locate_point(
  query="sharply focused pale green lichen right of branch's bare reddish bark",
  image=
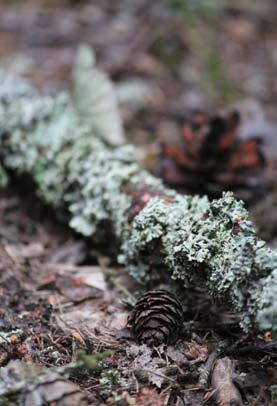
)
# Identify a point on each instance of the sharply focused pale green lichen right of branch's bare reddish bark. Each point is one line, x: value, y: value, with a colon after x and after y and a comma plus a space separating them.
x: 196, y: 241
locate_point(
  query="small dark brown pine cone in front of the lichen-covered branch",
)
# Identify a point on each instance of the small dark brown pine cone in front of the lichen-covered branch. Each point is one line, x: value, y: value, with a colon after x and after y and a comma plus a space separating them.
x: 156, y: 318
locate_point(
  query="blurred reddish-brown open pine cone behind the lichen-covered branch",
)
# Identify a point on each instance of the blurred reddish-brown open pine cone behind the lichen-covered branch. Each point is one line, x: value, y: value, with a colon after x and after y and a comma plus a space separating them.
x: 211, y: 158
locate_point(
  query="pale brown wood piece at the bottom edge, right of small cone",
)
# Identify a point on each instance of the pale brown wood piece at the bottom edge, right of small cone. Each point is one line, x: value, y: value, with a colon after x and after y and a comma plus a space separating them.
x: 226, y: 393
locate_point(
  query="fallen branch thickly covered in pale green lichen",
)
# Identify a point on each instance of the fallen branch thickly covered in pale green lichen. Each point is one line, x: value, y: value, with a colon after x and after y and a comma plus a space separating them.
x: 104, y: 192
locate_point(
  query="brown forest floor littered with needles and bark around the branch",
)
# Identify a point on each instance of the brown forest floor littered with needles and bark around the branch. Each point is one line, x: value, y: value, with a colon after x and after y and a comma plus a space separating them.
x: 62, y: 298
